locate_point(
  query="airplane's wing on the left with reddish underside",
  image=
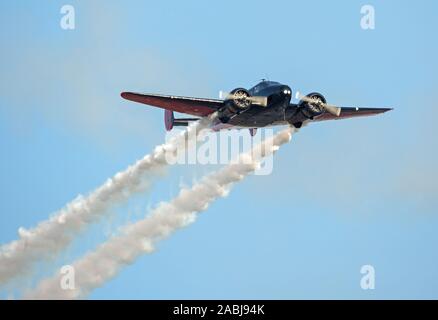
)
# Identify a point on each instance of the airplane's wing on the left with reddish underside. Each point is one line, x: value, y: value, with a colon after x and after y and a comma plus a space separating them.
x: 194, y: 106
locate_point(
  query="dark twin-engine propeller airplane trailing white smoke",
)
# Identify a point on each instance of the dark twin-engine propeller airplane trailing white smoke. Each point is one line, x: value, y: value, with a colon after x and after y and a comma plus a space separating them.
x: 266, y: 104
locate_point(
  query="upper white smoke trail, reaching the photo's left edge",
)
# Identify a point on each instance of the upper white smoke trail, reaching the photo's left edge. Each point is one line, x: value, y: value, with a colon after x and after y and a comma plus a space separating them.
x: 51, y: 236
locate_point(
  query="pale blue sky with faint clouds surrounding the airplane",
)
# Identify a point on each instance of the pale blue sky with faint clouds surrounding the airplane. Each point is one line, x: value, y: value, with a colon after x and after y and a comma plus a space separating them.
x: 342, y: 194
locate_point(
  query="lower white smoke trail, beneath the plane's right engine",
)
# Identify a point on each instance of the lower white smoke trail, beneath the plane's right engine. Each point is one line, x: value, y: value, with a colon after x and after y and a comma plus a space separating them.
x: 102, y: 264
